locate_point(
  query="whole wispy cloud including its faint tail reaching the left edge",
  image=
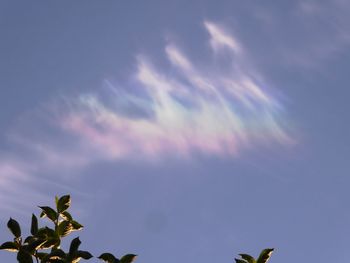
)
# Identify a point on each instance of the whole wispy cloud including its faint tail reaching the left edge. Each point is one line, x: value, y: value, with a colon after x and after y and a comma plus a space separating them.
x: 181, y: 110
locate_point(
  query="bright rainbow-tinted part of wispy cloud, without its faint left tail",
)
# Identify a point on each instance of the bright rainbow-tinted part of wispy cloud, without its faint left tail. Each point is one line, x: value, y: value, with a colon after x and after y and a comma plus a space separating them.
x: 184, y: 110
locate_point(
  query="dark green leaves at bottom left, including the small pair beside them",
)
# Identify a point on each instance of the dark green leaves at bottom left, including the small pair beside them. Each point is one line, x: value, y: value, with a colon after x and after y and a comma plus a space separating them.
x: 43, y: 243
